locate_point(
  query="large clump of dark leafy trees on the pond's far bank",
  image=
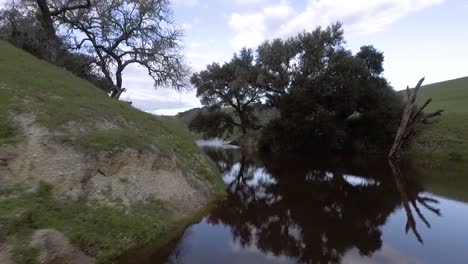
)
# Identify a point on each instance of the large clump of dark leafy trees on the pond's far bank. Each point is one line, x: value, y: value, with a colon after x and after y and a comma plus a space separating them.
x: 325, y: 96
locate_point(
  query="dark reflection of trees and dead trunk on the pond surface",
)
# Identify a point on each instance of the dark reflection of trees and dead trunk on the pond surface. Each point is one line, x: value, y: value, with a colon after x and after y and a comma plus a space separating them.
x: 314, y: 212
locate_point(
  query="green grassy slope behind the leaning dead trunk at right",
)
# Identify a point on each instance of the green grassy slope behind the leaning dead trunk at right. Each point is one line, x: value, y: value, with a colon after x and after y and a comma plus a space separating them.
x: 446, y: 140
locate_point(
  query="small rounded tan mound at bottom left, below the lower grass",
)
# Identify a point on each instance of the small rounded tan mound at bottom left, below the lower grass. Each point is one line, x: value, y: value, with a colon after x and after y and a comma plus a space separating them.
x: 55, y: 248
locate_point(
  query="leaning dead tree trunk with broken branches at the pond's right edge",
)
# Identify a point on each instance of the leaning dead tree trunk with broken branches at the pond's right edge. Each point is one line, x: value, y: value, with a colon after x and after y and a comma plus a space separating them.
x: 413, y: 116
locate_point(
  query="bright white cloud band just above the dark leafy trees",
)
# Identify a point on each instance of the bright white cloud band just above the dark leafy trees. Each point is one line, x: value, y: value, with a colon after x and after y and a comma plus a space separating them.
x: 282, y: 20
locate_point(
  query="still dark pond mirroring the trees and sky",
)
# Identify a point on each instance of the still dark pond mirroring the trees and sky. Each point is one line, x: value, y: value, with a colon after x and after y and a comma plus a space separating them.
x: 307, y: 210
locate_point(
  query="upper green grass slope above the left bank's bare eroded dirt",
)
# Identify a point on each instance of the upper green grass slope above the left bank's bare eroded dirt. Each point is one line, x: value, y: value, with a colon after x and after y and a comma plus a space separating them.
x: 84, y: 115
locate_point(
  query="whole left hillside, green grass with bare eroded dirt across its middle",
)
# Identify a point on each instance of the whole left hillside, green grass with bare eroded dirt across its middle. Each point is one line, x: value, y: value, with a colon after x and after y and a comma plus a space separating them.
x: 110, y: 177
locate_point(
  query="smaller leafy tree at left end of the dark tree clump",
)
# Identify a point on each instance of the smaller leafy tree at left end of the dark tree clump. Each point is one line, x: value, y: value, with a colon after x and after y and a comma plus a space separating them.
x: 235, y: 85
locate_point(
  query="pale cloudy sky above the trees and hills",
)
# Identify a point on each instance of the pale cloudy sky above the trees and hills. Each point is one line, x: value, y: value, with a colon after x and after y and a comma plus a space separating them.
x: 418, y: 37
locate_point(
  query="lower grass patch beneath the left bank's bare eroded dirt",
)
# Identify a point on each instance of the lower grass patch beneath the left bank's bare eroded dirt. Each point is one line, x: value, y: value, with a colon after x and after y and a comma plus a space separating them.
x: 102, y: 232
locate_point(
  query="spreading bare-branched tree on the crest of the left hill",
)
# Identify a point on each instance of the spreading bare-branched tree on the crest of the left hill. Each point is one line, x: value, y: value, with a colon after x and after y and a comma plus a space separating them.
x: 118, y: 33
